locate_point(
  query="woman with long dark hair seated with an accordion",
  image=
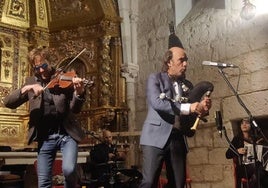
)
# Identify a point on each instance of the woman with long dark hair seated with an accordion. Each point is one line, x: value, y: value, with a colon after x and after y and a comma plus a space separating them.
x: 244, y: 163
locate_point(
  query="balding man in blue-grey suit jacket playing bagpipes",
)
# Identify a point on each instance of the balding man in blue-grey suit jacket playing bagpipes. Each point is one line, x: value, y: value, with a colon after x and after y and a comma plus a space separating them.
x: 163, y: 134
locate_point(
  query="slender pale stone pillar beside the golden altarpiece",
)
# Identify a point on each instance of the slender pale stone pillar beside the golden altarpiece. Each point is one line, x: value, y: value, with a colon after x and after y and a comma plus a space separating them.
x: 128, y: 11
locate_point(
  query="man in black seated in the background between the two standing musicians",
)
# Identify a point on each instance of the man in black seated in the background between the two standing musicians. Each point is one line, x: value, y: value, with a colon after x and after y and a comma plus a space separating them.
x: 104, y: 157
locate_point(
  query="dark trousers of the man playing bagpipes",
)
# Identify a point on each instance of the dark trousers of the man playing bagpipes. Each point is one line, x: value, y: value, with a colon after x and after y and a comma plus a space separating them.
x: 174, y: 155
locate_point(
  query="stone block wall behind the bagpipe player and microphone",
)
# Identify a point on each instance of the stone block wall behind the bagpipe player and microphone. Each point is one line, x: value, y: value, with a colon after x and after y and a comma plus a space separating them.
x: 218, y: 35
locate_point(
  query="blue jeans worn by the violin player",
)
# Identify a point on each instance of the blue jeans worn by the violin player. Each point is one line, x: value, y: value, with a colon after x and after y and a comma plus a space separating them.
x: 46, y: 155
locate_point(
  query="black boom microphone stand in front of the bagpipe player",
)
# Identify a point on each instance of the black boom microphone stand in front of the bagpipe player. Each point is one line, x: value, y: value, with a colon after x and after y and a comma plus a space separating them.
x: 253, y: 123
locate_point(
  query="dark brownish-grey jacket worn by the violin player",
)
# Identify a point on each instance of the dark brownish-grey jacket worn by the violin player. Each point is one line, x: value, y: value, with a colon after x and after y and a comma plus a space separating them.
x: 71, y: 125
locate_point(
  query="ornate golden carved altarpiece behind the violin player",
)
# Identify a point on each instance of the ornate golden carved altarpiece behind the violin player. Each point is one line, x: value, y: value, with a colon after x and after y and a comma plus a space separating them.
x: 66, y: 27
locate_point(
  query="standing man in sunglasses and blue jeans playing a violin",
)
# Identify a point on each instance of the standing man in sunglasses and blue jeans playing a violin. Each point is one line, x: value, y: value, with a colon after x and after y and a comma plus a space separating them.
x: 51, y: 122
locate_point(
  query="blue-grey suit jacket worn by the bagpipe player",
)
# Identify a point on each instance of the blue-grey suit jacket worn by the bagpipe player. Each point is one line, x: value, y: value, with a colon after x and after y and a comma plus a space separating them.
x: 161, y: 113
